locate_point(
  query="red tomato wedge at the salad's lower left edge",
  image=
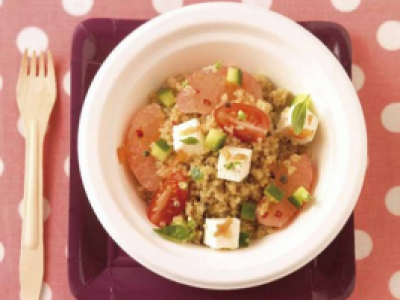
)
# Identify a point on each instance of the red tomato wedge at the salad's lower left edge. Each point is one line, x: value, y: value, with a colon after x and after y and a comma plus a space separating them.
x: 169, y: 200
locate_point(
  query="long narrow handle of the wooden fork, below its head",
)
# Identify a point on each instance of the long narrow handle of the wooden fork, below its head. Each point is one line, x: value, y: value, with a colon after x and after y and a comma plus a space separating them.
x: 31, y: 258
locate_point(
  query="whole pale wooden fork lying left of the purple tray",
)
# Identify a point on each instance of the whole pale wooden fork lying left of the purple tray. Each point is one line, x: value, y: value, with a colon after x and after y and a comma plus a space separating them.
x: 36, y: 94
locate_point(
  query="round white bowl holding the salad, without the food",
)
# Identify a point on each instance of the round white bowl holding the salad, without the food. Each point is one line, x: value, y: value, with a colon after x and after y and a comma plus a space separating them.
x: 258, y: 41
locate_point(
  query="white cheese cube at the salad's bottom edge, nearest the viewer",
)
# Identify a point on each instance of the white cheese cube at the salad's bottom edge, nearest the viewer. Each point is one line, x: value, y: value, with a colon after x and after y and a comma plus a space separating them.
x: 227, y: 239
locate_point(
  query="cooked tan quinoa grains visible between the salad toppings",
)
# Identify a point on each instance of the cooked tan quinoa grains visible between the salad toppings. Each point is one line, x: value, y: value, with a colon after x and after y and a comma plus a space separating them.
x: 217, y: 198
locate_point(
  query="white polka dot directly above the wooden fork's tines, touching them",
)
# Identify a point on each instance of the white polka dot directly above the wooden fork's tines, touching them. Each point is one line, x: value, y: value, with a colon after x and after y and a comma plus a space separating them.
x: 32, y: 38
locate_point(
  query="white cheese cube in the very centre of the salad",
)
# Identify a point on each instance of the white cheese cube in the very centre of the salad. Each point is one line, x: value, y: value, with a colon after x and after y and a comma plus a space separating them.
x: 234, y: 163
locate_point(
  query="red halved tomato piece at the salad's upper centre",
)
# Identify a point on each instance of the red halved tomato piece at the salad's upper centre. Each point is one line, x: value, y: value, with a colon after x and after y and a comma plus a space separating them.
x: 255, y: 125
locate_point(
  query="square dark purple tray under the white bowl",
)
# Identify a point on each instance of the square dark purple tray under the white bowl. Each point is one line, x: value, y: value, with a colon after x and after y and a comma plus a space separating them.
x: 100, y: 270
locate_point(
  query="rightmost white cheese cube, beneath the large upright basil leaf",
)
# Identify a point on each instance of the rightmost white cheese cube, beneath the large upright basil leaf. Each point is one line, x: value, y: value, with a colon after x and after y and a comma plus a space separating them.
x: 309, y: 129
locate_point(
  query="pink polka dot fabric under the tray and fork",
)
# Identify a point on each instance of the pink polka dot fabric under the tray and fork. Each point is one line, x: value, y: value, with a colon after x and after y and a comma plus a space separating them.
x: 374, y: 27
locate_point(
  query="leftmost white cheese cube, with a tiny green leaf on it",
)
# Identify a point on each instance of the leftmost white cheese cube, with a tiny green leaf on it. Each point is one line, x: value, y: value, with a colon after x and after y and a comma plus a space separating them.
x: 189, y: 129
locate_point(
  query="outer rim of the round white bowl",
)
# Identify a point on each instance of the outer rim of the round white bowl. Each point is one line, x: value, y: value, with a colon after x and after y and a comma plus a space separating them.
x: 88, y: 170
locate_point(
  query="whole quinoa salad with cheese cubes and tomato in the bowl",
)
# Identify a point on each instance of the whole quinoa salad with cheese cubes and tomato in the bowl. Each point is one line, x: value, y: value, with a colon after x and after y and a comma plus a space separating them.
x: 222, y: 157
